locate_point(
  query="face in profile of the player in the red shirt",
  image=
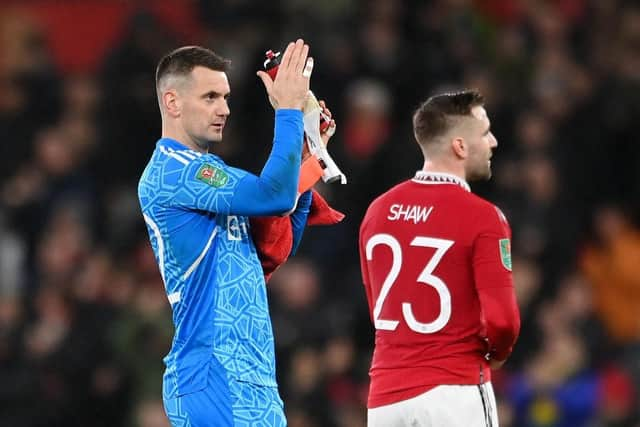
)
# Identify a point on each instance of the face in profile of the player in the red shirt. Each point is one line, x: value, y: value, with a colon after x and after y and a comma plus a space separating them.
x: 481, y: 143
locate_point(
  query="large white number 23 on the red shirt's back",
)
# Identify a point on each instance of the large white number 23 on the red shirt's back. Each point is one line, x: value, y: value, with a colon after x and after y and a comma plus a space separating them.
x: 441, y: 246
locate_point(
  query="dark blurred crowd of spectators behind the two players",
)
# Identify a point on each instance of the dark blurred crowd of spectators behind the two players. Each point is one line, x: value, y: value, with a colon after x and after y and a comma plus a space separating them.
x: 84, y: 321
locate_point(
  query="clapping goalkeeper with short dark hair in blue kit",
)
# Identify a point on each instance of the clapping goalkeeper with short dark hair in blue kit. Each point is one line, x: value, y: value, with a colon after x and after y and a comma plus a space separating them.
x: 221, y: 367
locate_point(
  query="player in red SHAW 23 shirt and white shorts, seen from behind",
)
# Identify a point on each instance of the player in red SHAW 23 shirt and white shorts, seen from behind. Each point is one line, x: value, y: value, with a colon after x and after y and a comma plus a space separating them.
x: 436, y: 266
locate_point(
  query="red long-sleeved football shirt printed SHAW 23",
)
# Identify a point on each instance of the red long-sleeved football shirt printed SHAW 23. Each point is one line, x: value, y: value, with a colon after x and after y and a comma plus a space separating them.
x: 436, y: 267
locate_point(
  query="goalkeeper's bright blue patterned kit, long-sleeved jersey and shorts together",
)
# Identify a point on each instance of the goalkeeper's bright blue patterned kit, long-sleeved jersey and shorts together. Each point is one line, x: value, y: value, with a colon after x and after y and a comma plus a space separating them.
x: 221, y: 367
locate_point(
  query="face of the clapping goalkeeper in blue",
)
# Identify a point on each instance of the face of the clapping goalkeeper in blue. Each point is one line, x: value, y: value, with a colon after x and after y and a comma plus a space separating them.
x: 205, y: 109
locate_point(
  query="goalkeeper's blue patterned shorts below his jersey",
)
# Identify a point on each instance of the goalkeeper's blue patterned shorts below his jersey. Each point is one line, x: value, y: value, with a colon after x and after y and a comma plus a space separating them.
x: 225, y: 402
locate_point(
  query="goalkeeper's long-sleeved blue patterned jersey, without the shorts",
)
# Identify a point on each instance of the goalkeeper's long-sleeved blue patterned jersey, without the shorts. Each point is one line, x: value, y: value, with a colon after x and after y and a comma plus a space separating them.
x: 196, y: 209
